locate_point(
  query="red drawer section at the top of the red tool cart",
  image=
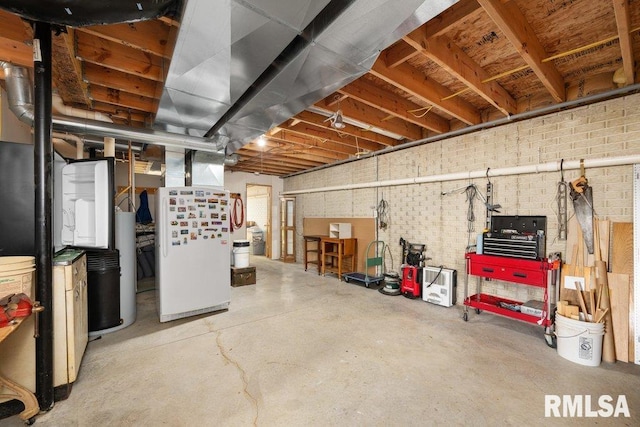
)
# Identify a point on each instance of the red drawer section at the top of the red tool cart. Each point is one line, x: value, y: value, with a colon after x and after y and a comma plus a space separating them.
x: 528, y: 272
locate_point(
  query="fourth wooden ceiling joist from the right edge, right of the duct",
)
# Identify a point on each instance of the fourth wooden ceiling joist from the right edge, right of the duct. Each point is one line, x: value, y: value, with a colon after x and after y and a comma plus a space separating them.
x: 415, y: 83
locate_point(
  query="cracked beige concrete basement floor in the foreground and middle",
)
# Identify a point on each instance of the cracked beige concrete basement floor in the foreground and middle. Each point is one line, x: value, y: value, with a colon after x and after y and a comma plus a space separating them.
x: 298, y: 349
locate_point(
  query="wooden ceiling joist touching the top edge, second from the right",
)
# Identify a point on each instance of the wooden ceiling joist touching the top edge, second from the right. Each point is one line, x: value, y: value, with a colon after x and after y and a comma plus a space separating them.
x: 509, y: 18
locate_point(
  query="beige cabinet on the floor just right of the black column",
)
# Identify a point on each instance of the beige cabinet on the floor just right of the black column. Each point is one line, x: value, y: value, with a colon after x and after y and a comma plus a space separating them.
x: 70, y: 318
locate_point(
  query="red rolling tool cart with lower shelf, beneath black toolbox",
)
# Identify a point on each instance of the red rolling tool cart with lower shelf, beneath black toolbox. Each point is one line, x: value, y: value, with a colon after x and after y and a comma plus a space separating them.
x: 542, y: 273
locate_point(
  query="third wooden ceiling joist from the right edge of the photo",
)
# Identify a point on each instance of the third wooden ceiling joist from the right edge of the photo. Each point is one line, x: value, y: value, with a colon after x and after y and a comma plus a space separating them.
x: 449, y: 56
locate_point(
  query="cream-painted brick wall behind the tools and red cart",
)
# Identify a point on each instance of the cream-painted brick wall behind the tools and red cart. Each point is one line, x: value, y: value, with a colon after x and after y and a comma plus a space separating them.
x: 420, y: 214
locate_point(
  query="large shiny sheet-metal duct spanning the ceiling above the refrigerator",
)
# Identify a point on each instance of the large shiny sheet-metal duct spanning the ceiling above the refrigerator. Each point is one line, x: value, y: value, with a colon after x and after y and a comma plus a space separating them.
x: 241, y: 67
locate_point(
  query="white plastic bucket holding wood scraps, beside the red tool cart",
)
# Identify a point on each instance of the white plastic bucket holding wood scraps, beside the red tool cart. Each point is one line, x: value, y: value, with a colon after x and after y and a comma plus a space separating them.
x: 578, y: 341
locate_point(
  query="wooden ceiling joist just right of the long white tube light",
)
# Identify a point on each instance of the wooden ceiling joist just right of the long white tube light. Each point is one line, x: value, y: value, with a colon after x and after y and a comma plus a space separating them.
x: 374, y: 117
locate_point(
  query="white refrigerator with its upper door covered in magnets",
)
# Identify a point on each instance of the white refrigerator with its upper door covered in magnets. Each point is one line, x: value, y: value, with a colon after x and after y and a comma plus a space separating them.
x: 192, y: 251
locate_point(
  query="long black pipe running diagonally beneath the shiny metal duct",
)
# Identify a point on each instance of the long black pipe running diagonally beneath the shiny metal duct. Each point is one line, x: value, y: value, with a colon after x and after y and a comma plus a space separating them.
x: 320, y: 23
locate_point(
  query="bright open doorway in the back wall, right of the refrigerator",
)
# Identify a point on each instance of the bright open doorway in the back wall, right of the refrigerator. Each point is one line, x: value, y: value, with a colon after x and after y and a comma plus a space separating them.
x: 259, y: 219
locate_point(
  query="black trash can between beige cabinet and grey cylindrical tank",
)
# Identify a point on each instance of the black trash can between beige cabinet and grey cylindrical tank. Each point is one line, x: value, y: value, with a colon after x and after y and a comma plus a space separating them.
x: 103, y: 289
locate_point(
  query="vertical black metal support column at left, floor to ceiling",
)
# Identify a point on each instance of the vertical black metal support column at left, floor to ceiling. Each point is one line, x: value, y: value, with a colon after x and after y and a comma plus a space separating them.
x: 43, y: 175
